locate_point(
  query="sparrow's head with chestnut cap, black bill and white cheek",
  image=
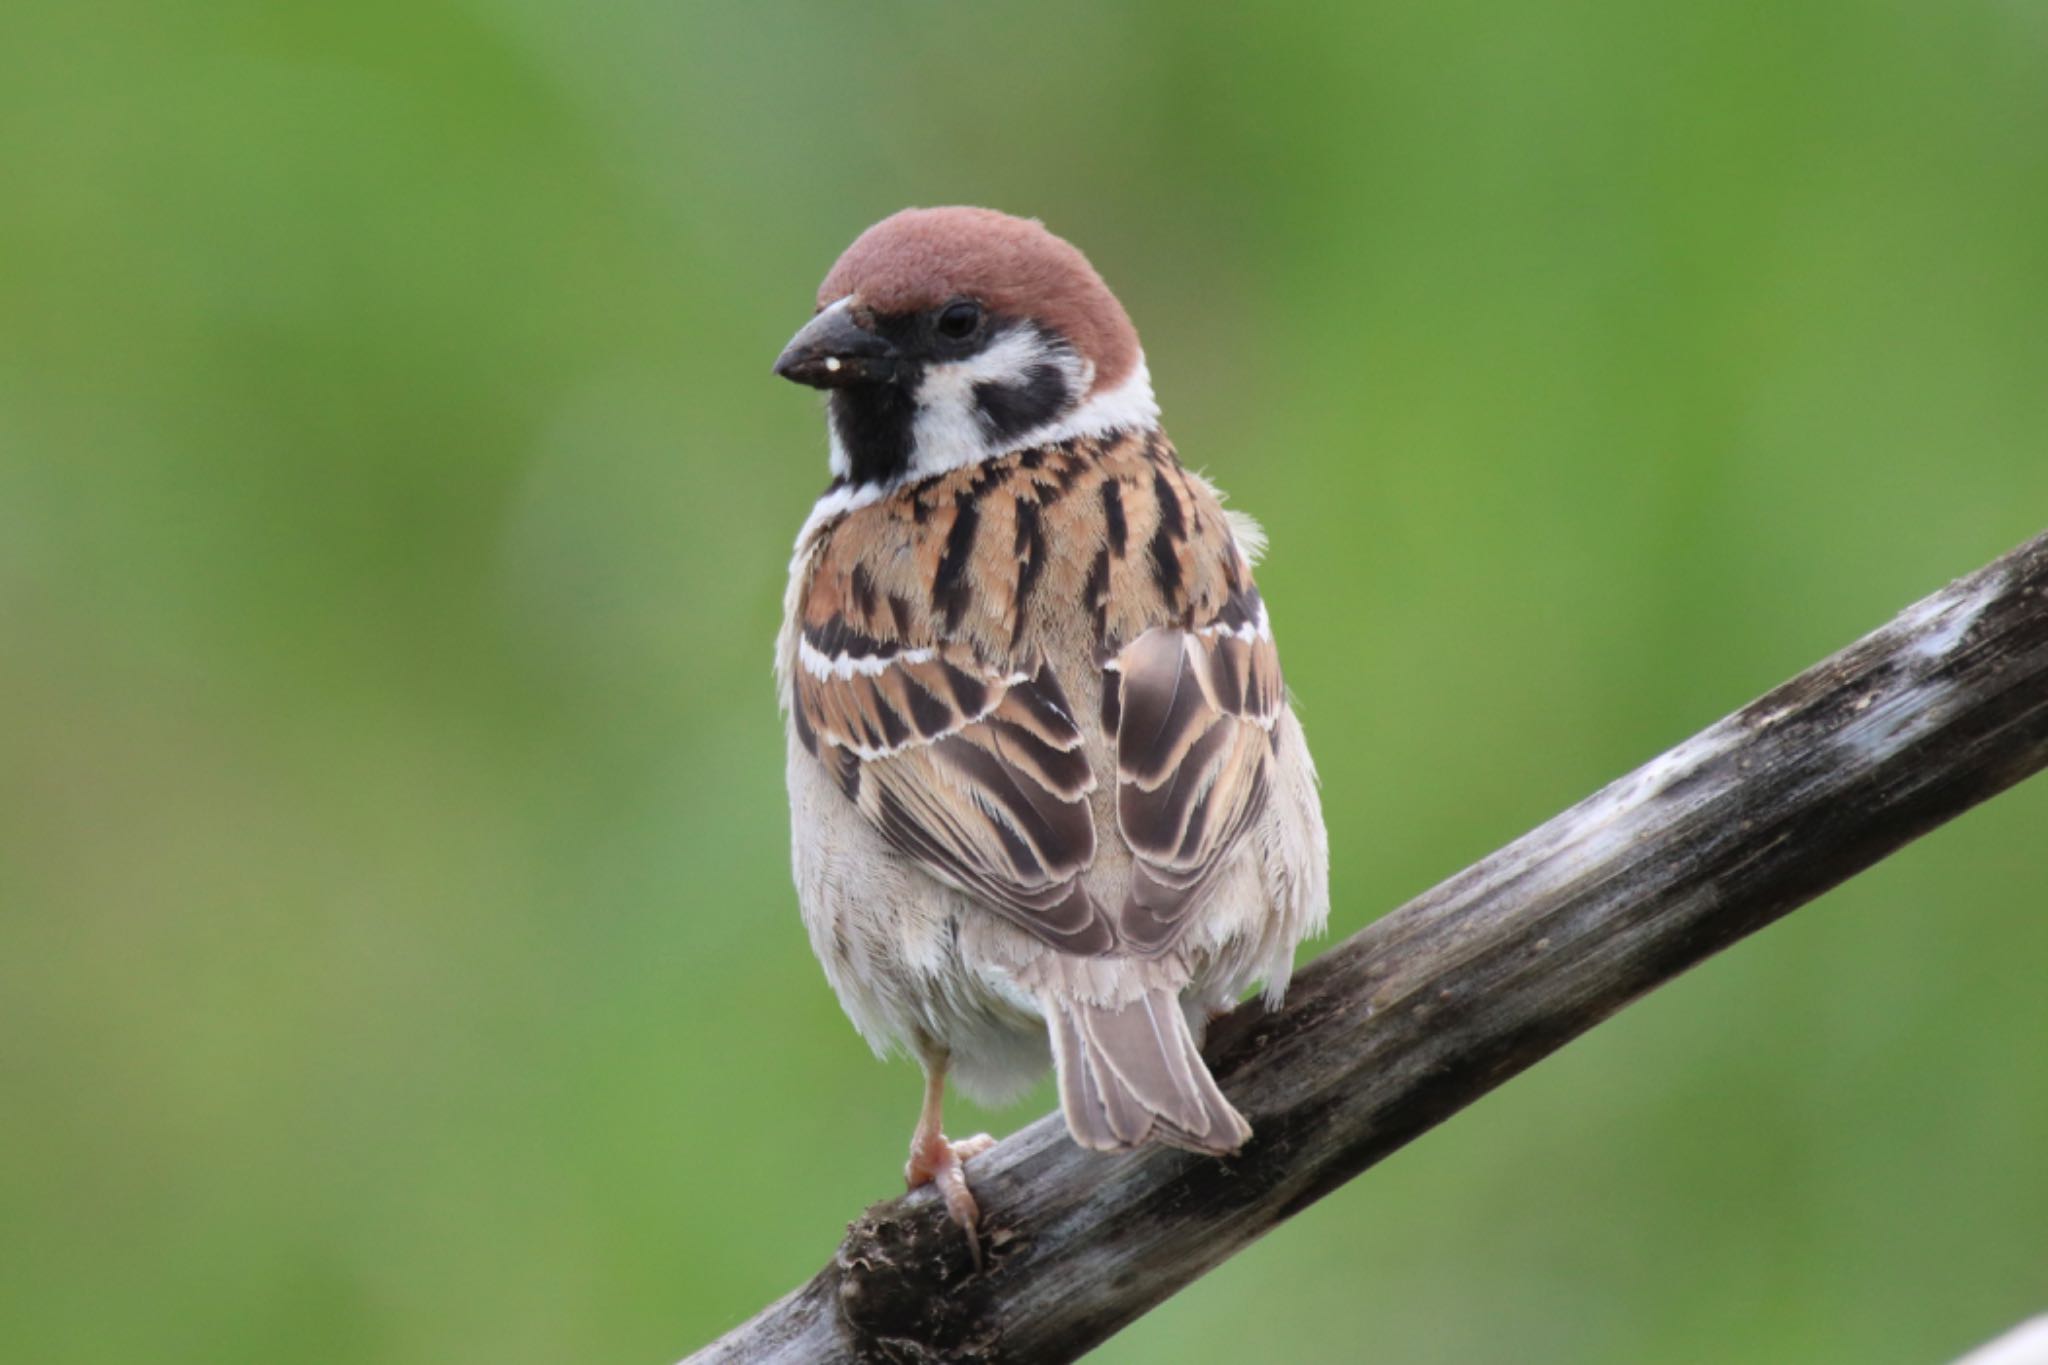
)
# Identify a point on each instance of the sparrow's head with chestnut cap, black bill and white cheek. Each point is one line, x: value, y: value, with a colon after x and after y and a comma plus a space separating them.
x: 949, y: 337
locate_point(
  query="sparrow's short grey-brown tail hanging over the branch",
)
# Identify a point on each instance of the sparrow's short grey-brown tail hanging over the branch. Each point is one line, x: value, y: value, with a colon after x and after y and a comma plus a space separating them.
x: 1134, y: 1075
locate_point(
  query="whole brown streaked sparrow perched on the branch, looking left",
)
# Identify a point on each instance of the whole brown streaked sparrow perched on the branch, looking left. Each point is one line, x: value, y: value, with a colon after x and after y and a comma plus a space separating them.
x: 1048, y: 789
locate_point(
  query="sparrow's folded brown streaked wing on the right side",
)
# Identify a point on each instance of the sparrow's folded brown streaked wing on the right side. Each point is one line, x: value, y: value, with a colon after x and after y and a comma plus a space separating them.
x: 1193, y: 742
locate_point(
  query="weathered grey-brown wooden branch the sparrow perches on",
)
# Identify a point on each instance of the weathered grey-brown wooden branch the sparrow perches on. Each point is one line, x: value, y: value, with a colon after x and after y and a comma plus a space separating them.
x: 1445, y: 1000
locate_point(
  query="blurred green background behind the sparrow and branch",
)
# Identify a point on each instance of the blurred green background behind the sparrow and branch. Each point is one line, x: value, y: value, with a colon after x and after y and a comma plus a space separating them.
x: 398, y: 959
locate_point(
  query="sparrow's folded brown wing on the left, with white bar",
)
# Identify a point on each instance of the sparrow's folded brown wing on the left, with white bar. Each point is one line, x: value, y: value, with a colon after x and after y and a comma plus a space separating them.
x: 974, y: 773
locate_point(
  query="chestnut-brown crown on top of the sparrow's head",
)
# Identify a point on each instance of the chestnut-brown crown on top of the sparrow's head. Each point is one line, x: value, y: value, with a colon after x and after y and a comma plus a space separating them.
x: 921, y: 259
